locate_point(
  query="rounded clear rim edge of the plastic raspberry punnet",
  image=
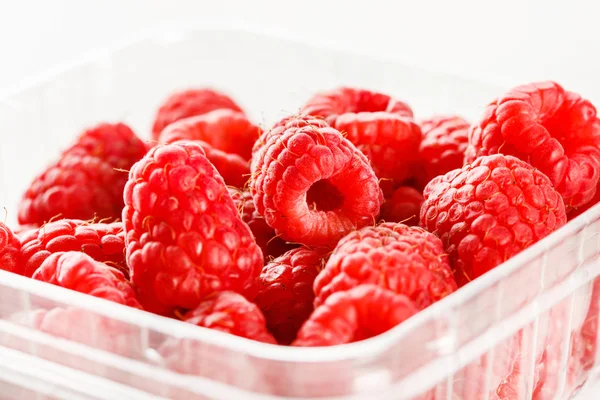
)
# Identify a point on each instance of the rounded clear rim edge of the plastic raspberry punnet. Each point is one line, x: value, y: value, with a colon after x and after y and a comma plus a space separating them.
x: 374, y: 346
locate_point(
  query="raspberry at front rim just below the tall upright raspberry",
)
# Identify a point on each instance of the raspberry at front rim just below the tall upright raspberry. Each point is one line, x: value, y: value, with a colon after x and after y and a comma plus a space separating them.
x: 231, y: 313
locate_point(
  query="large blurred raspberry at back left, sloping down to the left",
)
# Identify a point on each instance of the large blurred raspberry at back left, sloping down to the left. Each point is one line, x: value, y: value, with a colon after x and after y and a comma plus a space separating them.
x: 84, y: 183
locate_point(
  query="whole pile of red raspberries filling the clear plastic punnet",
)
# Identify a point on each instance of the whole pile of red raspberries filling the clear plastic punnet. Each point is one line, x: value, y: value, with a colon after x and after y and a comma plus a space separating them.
x: 331, y: 226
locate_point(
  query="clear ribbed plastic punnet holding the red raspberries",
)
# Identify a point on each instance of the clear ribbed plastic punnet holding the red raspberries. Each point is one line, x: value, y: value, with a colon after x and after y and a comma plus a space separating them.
x: 528, y: 324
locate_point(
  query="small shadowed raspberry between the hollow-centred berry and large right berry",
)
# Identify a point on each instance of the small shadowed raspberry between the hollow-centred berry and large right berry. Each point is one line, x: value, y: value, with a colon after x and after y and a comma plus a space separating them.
x: 403, y: 206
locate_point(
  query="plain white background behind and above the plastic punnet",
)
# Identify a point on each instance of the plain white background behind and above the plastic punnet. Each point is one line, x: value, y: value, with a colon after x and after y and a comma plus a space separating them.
x: 507, y: 41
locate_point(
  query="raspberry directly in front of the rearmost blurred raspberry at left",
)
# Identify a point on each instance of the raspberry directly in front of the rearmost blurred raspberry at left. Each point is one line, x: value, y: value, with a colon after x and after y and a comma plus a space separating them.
x: 223, y: 129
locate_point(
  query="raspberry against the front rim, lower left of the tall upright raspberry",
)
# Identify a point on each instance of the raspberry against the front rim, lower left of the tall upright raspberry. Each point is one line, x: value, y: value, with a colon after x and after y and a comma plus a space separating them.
x: 78, y: 271
